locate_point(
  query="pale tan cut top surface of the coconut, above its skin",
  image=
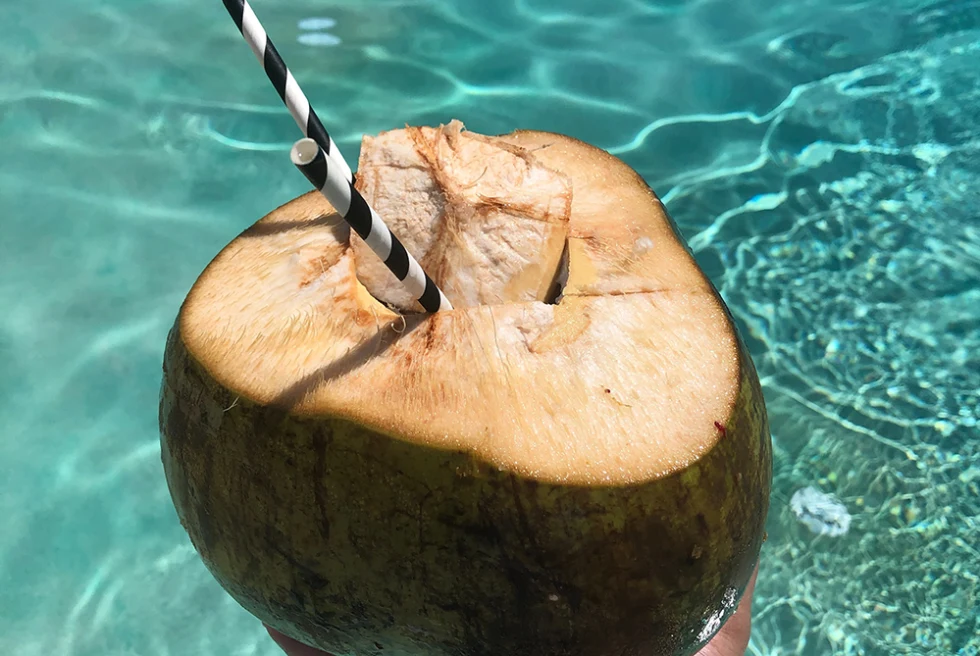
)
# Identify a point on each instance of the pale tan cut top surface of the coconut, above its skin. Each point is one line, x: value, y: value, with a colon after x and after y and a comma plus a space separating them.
x: 625, y: 379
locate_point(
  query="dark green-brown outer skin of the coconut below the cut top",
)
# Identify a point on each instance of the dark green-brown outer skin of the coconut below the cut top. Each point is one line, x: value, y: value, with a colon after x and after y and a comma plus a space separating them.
x: 359, y: 543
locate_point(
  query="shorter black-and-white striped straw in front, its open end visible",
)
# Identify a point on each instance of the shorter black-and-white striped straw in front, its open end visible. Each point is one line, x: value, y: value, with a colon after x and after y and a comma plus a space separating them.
x: 309, y: 158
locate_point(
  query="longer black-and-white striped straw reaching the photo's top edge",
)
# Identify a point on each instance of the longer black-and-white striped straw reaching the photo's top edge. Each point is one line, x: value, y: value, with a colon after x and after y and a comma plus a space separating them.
x: 284, y: 82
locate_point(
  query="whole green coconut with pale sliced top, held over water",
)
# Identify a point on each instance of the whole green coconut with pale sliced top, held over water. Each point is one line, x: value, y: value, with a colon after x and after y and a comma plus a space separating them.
x: 575, y: 460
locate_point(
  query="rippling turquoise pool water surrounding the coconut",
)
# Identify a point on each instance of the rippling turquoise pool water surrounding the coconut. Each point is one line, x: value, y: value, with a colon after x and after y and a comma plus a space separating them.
x: 822, y: 157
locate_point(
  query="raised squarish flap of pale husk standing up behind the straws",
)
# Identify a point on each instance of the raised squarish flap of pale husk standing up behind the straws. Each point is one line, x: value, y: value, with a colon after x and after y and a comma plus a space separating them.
x: 485, y: 219
